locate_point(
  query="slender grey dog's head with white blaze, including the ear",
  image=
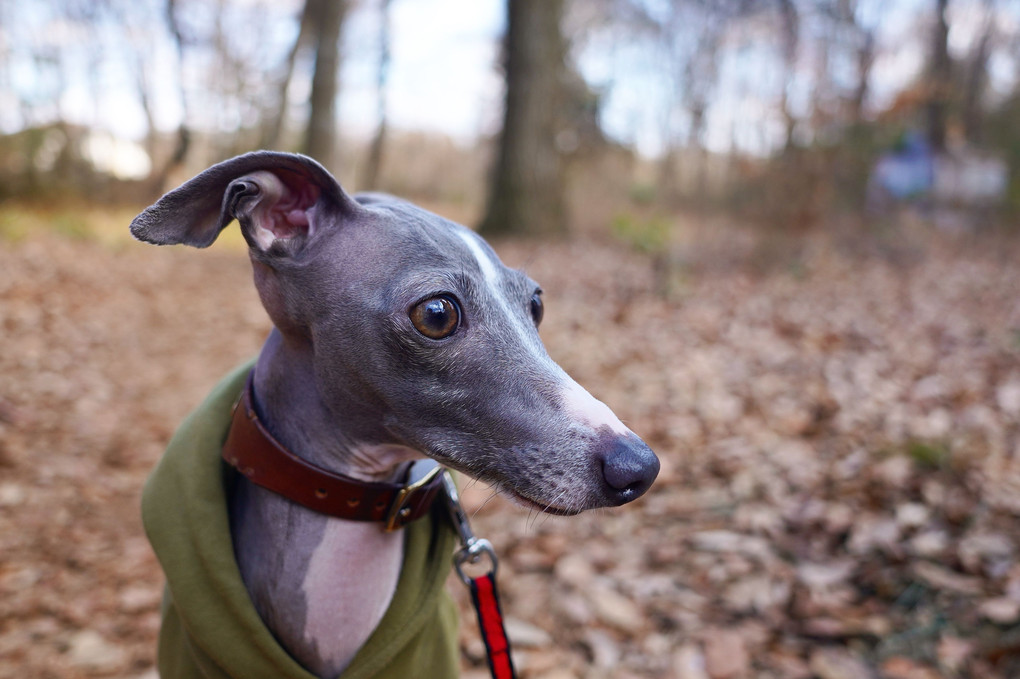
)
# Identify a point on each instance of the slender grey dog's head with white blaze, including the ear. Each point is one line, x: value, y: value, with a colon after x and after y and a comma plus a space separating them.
x: 419, y: 335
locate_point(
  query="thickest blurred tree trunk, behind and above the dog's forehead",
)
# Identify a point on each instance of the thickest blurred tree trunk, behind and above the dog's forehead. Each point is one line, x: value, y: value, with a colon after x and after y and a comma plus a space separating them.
x: 527, y: 195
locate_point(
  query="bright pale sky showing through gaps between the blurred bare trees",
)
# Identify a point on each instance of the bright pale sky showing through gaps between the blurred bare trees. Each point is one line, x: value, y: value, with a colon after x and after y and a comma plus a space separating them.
x: 444, y: 72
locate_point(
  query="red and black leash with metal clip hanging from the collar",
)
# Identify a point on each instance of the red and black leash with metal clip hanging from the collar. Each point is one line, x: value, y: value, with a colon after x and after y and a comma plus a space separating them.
x: 484, y: 593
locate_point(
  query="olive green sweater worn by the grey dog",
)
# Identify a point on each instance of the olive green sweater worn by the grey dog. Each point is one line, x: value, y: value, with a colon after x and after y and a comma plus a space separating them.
x: 211, y: 629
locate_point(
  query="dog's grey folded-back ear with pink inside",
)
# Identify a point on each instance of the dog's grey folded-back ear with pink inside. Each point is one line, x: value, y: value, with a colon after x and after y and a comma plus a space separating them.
x: 278, y: 198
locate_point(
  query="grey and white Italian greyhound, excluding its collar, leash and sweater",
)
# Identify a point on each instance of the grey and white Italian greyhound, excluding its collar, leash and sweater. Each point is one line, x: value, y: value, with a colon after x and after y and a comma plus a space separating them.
x: 398, y: 336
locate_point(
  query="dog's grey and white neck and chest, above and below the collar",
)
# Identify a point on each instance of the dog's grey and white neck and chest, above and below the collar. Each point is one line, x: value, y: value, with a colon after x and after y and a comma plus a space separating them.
x: 321, y: 585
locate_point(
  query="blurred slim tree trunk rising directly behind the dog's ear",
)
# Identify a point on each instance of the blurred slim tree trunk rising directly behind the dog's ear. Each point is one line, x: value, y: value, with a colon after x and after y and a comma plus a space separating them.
x: 321, y: 140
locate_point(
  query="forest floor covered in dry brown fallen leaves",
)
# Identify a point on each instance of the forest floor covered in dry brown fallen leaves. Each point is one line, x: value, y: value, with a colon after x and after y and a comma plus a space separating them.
x: 838, y: 420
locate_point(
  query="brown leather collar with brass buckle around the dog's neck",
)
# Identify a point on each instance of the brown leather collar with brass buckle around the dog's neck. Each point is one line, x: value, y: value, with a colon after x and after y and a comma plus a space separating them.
x: 264, y: 460
